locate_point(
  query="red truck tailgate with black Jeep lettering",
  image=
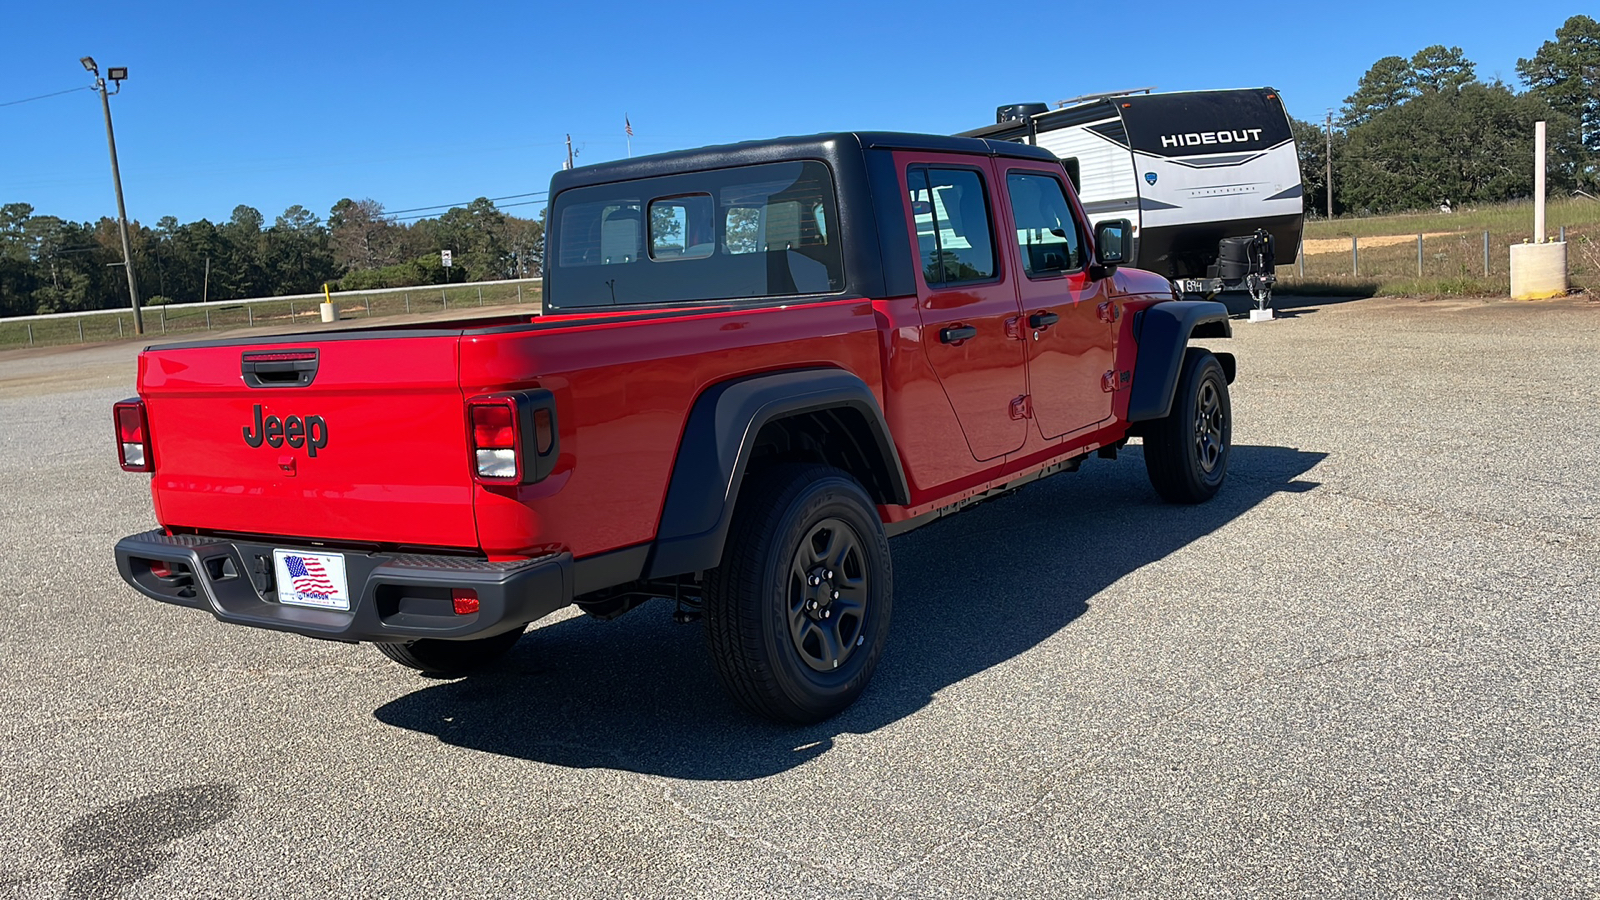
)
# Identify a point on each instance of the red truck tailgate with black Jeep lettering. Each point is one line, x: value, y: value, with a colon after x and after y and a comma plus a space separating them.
x: 374, y: 449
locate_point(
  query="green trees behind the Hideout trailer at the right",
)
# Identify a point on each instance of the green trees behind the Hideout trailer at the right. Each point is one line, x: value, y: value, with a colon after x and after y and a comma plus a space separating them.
x: 1425, y: 132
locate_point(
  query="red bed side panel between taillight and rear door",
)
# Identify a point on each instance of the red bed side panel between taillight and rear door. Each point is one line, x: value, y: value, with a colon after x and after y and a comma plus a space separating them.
x: 623, y: 393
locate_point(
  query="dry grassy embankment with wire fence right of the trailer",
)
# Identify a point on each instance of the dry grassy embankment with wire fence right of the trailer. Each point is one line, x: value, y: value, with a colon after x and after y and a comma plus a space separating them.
x: 1452, y: 251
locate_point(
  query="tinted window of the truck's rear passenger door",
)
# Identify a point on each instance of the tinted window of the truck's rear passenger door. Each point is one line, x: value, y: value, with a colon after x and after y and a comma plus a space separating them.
x: 954, y: 239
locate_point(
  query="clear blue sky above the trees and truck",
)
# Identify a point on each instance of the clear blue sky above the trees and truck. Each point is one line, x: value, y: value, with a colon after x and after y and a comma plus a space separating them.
x: 418, y: 105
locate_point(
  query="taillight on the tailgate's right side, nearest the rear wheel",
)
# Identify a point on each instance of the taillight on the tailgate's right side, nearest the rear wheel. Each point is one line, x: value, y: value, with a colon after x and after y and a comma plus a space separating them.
x: 514, y: 436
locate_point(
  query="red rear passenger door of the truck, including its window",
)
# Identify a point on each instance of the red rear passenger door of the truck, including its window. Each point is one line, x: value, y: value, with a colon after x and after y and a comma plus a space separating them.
x: 967, y: 300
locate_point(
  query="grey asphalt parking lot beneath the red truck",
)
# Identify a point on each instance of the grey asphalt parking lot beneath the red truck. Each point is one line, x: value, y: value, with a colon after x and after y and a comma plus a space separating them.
x: 1370, y: 667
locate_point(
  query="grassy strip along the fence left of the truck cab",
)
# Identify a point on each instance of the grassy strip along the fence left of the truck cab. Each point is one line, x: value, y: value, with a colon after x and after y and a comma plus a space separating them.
x: 188, y: 321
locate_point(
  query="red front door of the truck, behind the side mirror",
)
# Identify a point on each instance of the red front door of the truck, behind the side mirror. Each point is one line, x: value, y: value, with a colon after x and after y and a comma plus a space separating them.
x: 1070, y: 319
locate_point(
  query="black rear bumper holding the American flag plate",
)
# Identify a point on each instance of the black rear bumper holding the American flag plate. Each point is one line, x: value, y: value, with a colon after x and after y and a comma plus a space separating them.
x: 393, y: 597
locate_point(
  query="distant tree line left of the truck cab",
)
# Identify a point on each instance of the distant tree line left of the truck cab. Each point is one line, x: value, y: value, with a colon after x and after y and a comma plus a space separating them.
x: 52, y: 265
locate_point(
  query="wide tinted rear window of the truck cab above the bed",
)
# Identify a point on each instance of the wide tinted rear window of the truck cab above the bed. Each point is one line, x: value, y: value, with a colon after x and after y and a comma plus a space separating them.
x: 737, y: 233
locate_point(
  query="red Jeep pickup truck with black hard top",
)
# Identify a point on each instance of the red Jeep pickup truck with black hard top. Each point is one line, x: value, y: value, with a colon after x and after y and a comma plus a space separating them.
x: 754, y: 366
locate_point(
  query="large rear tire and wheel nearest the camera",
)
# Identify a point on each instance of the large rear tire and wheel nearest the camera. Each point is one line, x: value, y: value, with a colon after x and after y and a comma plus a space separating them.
x: 767, y: 641
